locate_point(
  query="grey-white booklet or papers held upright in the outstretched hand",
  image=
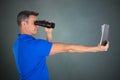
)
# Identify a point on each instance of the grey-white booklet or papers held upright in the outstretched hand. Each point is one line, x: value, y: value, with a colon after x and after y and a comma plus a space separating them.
x: 104, y: 34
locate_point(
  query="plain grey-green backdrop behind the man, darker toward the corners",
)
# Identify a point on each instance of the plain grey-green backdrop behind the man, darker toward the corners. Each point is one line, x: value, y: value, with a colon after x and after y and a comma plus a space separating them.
x: 78, y: 22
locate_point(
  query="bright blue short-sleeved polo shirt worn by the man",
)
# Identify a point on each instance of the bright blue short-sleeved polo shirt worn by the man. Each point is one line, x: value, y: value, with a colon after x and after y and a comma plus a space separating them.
x: 30, y: 56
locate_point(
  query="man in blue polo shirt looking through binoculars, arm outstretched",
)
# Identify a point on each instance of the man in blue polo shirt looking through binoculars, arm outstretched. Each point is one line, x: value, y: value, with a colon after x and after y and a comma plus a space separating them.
x: 30, y: 53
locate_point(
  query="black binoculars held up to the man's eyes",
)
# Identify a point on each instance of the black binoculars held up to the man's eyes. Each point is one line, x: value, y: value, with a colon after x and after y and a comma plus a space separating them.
x: 44, y: 23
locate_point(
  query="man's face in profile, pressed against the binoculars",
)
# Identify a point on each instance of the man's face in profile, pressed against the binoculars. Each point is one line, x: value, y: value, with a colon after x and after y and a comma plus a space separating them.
x: 30, y: 27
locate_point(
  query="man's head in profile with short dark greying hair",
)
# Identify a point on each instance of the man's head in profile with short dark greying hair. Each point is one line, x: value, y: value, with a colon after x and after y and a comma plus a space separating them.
x: 26, y: 19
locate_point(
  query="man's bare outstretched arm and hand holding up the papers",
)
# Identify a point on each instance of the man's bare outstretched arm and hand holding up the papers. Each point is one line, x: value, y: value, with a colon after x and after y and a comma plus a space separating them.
x: 75, y: 48
